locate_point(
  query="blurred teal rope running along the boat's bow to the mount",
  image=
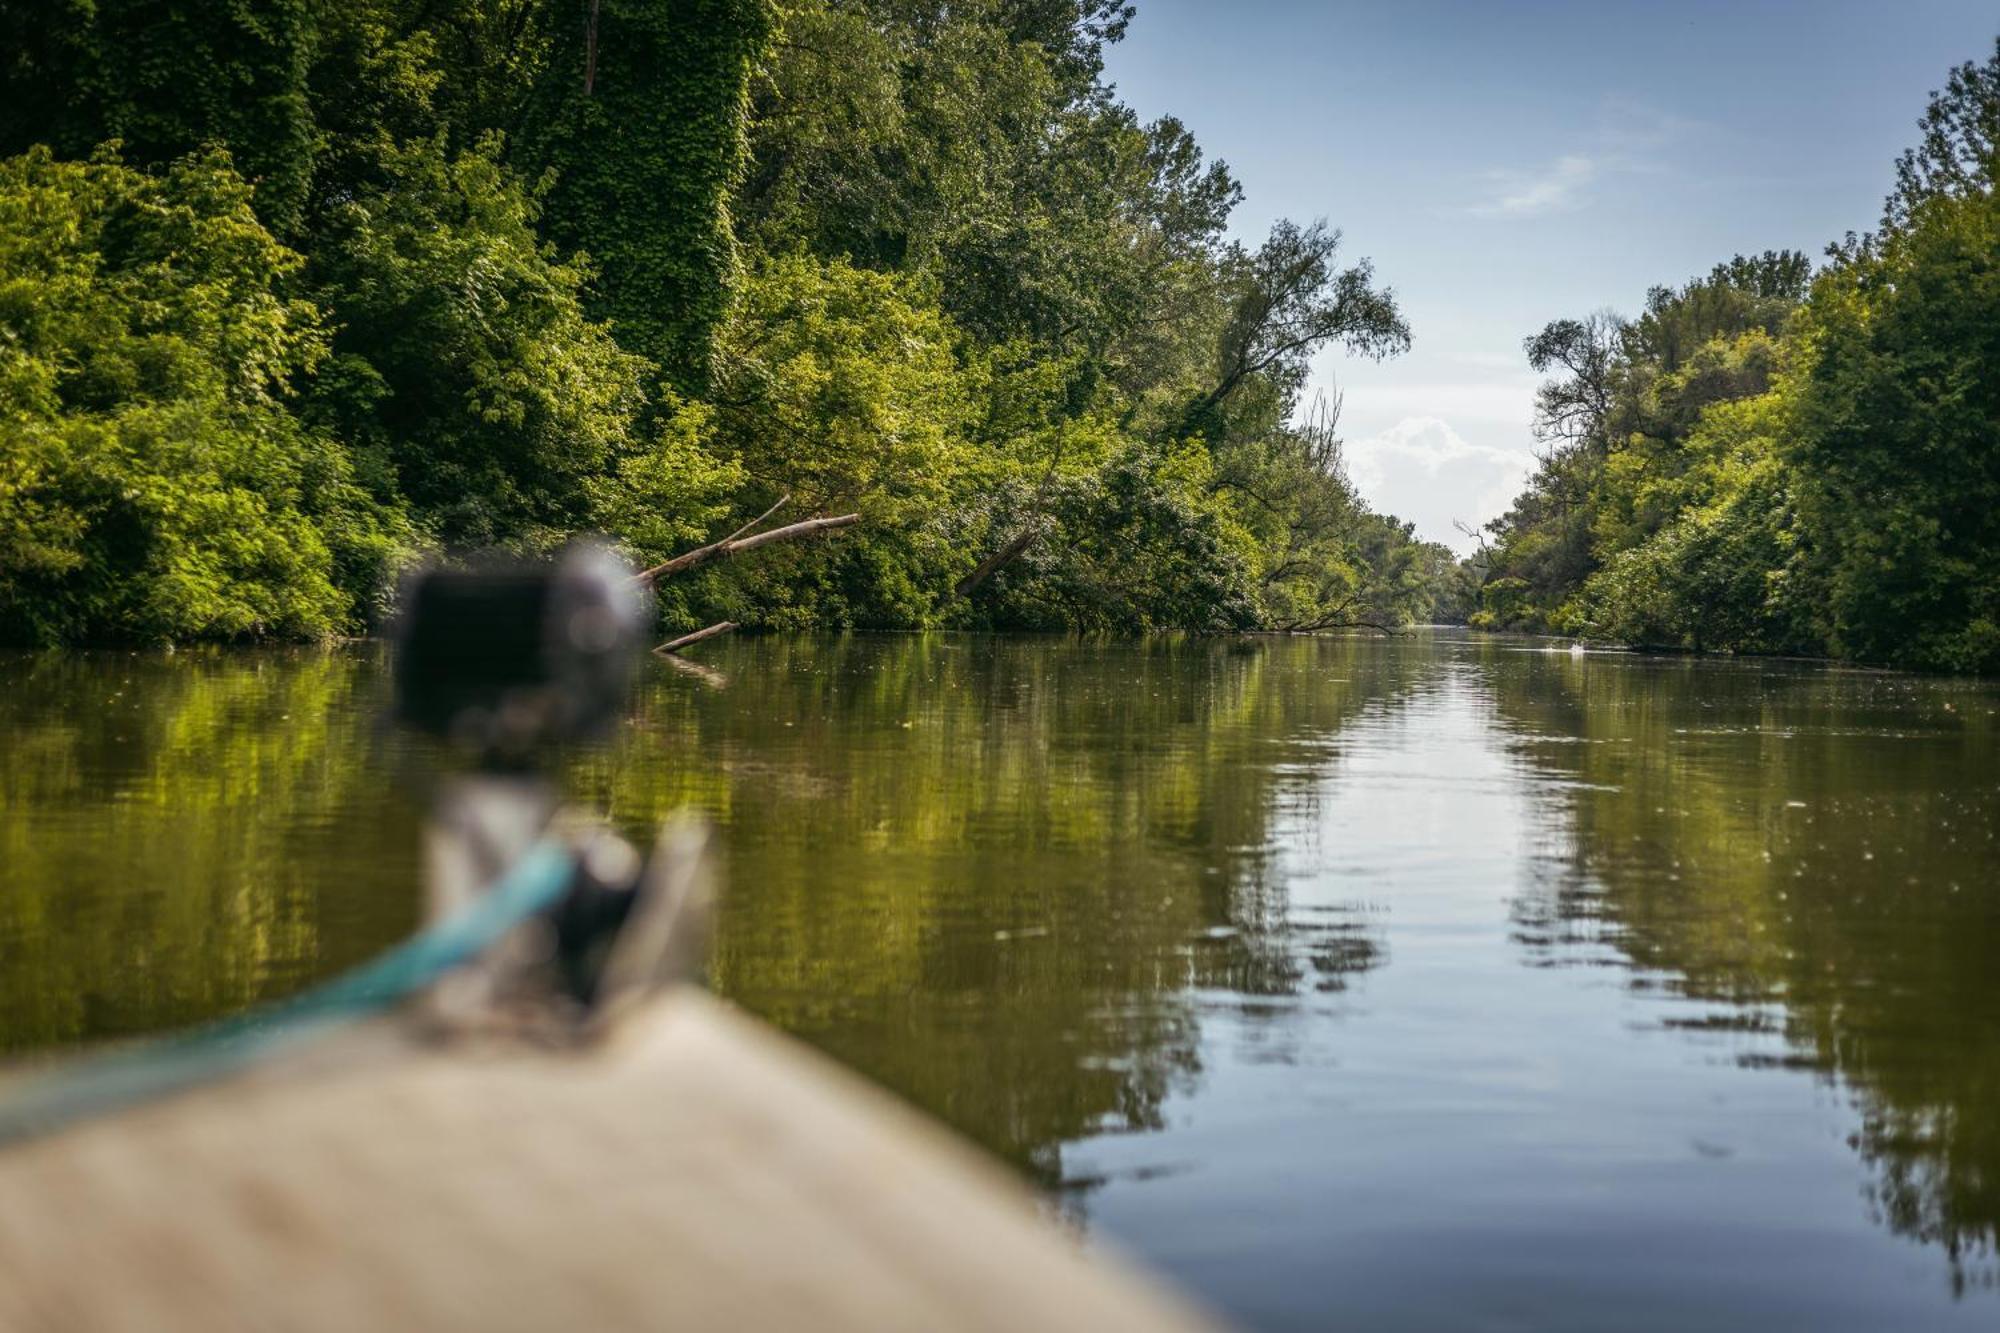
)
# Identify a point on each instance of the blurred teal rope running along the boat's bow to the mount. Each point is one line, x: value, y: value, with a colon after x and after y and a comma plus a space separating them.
x: 103, y: 1084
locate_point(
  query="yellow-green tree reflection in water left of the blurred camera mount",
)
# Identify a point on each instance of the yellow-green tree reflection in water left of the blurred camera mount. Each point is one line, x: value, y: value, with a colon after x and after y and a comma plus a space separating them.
x: 183, y: 836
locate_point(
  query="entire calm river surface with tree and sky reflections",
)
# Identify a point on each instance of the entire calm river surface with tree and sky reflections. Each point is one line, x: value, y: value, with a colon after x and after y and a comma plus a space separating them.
x: 1407, y: 984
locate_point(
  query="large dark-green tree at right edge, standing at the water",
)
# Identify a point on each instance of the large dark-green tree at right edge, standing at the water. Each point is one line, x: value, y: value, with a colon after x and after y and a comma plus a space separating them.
x: 1897, y: 439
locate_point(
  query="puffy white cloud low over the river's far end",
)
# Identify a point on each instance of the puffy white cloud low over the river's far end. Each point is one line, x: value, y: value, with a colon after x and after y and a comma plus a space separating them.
x: 1425, y: 471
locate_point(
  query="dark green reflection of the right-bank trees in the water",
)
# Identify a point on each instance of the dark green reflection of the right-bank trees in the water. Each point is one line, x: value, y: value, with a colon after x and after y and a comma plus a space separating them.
x: 1813, y: 852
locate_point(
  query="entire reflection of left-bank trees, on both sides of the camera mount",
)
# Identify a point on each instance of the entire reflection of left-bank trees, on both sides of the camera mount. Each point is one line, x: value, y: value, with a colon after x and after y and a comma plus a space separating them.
x: 989, y: 874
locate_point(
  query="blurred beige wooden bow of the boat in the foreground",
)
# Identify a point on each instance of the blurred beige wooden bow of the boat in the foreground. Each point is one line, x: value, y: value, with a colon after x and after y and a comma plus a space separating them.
x: 693, y: 1172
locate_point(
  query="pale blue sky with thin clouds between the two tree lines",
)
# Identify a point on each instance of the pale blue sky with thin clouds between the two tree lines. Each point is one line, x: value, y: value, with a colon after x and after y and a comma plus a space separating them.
x: 1511, y: 163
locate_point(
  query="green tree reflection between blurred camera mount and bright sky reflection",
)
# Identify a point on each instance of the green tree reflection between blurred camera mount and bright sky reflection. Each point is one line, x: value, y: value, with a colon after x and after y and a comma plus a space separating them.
x: 993, y: 874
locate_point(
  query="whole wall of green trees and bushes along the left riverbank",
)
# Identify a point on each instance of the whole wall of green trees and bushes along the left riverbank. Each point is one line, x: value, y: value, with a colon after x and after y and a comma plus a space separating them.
x: 295, y: 291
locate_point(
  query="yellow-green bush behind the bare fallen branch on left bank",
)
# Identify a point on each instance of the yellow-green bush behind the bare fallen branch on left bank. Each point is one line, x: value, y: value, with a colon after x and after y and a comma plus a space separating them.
x: 849, y: 393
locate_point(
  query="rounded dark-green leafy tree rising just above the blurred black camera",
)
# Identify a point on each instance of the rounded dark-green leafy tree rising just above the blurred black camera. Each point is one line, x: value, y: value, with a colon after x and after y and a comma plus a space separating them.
x: 467, y: 373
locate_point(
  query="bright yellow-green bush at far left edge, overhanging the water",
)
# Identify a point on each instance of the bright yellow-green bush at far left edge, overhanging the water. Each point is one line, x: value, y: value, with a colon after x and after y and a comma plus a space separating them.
x: 155, y: 481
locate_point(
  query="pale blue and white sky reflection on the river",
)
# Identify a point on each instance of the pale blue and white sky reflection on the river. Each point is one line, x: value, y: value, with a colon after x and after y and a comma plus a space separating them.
x: 1473, y: 1142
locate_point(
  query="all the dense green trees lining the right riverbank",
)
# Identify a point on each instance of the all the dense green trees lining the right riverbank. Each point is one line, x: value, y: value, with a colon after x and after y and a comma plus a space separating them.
x: 1781, y: 461
